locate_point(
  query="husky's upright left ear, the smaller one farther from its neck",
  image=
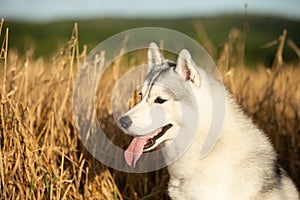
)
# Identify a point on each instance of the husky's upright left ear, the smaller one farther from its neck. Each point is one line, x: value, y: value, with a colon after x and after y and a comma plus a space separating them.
x: 155, y: 58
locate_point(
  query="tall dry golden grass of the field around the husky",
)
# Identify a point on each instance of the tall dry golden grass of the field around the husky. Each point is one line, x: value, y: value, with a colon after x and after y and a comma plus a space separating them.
x: 41, y: 156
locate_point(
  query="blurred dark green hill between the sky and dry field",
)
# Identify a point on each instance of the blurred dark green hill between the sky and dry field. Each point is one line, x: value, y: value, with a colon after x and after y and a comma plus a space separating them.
x: 46, y: 39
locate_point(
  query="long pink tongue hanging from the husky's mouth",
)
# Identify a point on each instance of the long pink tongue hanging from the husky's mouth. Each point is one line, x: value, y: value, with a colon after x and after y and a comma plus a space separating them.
x: 134, y: 151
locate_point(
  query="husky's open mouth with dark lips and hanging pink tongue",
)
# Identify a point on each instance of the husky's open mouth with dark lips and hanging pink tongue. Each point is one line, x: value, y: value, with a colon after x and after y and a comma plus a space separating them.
x: 141, y: 144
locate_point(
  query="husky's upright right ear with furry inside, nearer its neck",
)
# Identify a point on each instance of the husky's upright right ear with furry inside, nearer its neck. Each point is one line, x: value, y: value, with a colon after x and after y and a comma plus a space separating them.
x: 186, y: 68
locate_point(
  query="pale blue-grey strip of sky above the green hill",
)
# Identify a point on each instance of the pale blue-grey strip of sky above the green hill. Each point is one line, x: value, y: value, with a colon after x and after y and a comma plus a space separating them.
x: 54, y: 10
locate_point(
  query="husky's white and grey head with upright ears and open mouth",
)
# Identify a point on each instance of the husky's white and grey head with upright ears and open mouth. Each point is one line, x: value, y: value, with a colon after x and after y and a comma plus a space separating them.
x: 167, y: 88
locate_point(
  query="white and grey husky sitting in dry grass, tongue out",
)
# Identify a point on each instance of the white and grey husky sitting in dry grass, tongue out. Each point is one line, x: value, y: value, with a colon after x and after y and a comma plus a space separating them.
x: 242, y: 165
